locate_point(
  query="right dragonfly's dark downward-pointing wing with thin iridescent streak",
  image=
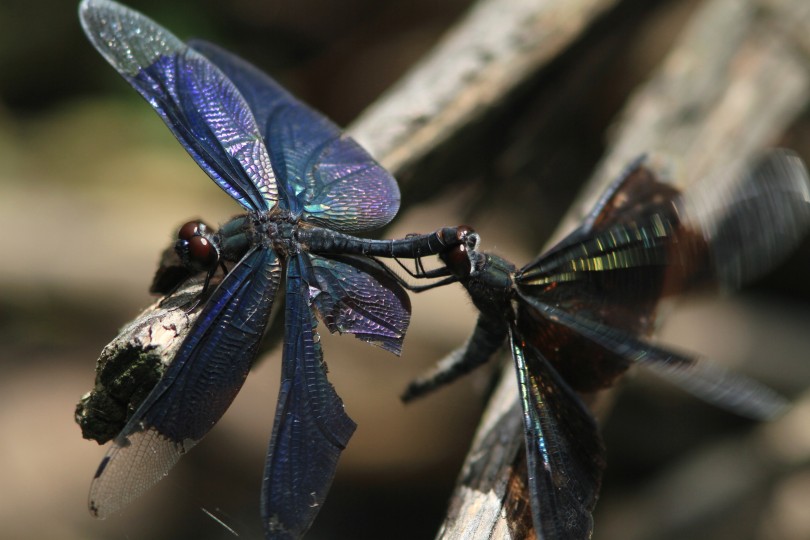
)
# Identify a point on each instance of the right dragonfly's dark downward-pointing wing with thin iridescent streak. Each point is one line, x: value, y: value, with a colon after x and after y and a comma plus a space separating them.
x: 564, y: 451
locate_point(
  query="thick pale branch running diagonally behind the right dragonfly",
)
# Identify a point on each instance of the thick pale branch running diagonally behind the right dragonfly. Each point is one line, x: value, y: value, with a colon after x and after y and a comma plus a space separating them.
x: 732, y: 84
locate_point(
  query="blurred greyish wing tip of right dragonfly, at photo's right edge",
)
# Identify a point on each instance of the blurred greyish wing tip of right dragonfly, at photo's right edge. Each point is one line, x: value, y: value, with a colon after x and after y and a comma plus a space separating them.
x: 752, y: 222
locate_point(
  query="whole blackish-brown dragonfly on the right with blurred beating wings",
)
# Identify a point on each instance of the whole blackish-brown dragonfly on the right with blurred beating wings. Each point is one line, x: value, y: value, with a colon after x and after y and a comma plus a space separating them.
x: 577, y: 316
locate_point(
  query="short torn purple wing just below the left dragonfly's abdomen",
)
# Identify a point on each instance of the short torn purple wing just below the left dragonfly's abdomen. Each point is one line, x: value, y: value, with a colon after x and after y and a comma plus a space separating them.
x: 356, y: 295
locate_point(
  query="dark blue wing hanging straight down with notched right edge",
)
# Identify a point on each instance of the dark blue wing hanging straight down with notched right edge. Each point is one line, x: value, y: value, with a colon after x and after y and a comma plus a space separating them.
x: 311, y: 428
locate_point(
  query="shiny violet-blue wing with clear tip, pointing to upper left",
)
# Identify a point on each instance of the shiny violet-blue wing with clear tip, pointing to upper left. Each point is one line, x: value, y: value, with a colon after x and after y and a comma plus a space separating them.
x: 199, y: 104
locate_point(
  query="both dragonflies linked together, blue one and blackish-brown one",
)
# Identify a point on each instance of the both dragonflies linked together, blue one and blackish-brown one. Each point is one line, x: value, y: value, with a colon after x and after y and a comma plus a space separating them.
x: 575, y: 318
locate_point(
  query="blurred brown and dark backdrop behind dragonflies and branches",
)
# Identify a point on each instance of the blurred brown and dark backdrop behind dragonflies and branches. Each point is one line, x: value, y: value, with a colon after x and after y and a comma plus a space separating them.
x: 93, y: 187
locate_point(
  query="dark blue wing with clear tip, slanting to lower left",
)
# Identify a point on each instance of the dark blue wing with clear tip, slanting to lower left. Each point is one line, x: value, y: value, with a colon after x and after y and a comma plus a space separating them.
x: 197, y: 388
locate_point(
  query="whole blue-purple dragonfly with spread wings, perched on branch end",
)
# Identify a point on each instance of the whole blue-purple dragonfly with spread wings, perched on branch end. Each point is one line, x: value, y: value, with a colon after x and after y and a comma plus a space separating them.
x: 305, y: 186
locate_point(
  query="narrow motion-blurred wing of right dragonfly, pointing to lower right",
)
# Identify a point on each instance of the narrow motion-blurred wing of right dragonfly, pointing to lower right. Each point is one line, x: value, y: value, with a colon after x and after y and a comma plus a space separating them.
x: 703, y: 378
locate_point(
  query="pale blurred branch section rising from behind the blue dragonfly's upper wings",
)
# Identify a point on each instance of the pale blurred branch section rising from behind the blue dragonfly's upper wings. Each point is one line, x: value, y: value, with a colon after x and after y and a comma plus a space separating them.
x: 496, y: 47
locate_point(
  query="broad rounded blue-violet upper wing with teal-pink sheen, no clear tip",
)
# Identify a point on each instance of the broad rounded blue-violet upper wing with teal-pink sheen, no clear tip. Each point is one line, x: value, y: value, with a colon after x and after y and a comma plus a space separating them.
x: 327, y: 177
